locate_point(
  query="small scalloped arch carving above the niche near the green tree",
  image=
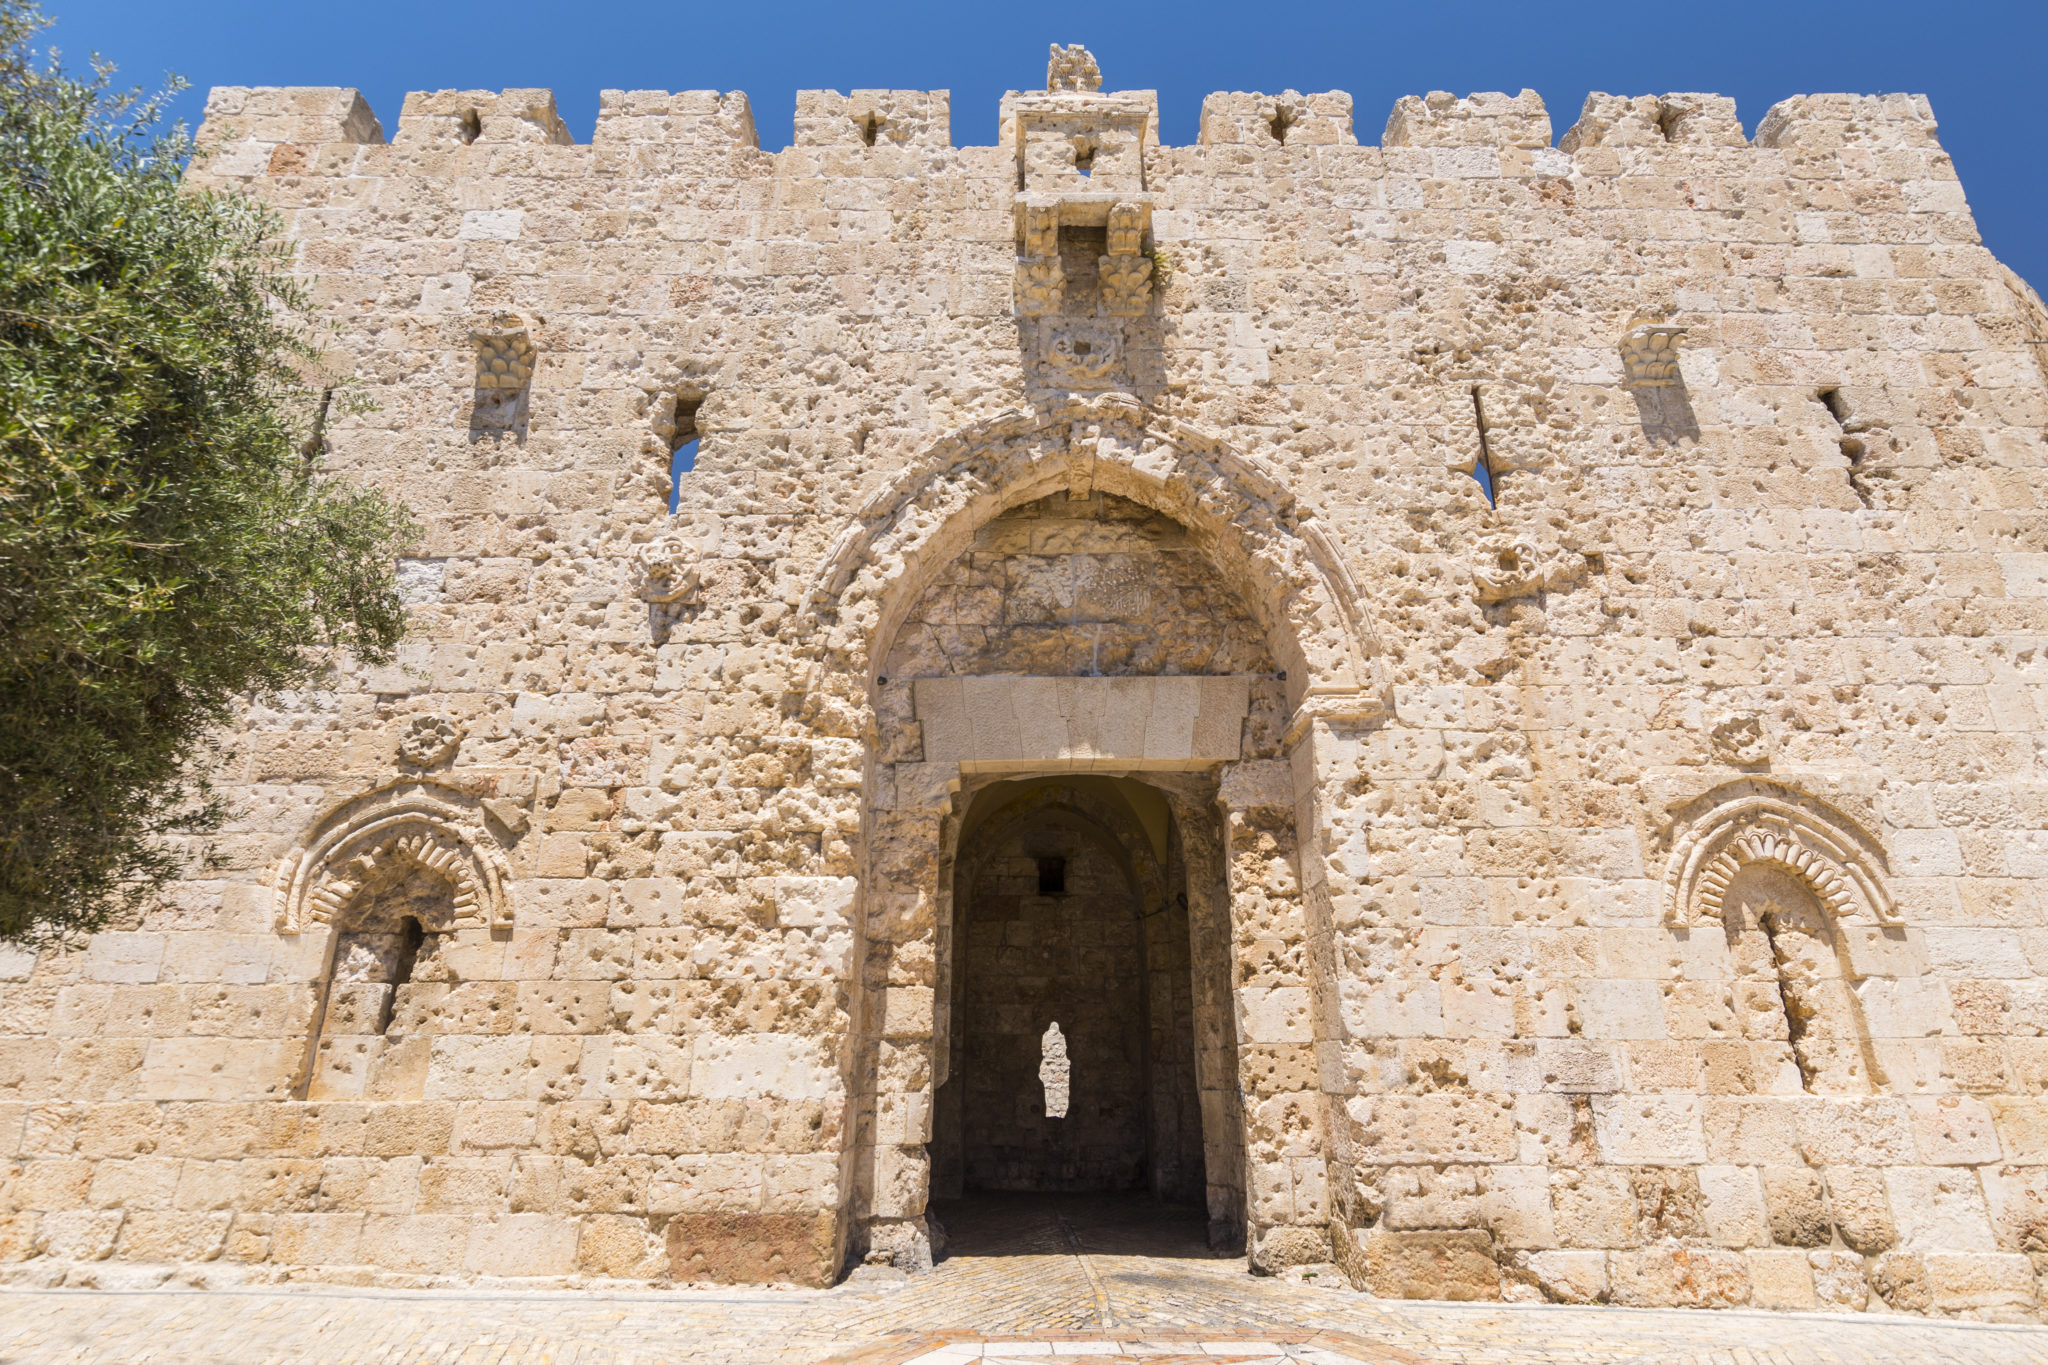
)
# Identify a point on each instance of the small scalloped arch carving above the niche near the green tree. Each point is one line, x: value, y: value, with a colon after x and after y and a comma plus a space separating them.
x: 413, y: 824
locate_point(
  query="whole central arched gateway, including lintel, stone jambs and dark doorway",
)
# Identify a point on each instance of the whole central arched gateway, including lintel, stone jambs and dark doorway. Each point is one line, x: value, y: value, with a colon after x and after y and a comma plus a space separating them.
x: 1097, y: 609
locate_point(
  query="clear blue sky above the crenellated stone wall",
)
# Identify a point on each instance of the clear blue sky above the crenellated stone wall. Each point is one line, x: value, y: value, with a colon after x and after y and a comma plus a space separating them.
x: 1981, y: 62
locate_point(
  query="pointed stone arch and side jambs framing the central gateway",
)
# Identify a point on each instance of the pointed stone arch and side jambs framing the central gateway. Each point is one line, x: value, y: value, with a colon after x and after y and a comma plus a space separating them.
x: 1273, y: 807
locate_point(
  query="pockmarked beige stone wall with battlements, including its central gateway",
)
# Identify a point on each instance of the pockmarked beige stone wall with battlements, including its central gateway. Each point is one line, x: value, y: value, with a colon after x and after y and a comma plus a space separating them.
x: 1490, y: 680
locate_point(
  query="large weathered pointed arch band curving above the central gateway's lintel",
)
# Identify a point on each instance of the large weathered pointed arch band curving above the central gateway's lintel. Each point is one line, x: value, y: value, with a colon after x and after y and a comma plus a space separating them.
x: 1265, y: 541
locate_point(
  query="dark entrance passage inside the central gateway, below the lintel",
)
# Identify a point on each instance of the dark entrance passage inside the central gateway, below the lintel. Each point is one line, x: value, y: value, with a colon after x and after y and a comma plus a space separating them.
x: 1070, y: 910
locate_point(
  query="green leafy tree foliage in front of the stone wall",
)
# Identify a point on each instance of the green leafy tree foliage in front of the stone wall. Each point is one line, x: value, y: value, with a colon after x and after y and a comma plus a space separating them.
x: 169, y: 543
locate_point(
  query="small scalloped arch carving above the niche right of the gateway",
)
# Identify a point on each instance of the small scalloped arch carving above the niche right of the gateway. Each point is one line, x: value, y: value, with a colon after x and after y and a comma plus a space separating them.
x: 1840, y: 863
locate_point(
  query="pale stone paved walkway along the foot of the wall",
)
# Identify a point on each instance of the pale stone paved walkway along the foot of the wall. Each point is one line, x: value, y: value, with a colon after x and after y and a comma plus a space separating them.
x: 1023, y: 1282
